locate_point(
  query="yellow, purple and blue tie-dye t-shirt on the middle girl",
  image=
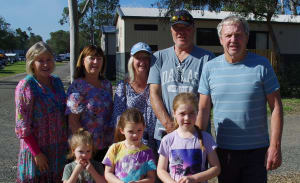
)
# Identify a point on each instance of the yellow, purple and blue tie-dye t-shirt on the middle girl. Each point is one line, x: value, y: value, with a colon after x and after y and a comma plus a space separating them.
x: 130, y: 165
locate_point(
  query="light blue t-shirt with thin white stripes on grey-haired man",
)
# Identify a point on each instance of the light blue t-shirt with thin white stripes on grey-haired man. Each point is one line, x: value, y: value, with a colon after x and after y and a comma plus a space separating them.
x: 239, y: 95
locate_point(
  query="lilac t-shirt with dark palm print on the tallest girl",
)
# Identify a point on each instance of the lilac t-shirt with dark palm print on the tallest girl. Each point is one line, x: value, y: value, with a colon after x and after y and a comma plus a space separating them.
x: 185, y: 155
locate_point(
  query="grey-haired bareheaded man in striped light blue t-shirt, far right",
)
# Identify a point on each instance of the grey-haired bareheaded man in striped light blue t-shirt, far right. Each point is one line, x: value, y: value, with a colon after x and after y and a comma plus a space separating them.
x: 239, y: 84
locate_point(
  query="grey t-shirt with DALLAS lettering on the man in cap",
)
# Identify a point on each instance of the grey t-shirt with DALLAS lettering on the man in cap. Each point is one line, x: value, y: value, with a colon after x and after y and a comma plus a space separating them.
x: 175, y: 76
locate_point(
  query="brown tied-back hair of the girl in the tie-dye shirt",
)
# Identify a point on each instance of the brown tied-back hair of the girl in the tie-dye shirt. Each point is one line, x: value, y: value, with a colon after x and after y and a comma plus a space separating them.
x: 131, y: 115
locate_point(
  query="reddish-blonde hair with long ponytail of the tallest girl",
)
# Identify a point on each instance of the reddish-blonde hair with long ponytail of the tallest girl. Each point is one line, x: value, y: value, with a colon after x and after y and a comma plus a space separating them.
x: 188, y: 98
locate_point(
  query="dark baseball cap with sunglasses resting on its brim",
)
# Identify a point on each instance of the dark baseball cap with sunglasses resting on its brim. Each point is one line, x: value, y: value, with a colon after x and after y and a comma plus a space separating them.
x: 182, y: 17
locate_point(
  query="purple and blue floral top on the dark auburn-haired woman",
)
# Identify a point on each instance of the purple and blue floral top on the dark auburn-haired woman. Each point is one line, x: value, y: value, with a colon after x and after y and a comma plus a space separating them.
x: 95, y: 108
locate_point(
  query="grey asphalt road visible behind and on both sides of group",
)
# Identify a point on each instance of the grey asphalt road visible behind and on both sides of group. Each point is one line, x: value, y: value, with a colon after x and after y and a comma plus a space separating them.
x: 288, y: 172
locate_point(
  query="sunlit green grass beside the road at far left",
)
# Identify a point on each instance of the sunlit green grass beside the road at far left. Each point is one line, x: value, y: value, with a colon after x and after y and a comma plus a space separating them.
x: 17, y: 68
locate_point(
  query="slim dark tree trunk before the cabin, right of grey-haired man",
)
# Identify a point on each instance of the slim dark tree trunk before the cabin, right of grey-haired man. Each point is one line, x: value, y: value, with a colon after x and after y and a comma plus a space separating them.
x: 275, y: 47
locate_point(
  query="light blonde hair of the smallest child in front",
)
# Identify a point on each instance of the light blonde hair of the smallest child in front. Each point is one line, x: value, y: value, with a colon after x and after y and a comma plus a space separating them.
x: 79, y: 138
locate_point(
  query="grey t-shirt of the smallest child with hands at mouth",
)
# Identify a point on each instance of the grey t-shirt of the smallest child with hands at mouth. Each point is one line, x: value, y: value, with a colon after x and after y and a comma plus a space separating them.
x: 84, y: 176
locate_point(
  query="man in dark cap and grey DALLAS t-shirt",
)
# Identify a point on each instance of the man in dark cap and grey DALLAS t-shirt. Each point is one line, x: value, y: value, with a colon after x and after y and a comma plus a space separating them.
x: 174, y: 70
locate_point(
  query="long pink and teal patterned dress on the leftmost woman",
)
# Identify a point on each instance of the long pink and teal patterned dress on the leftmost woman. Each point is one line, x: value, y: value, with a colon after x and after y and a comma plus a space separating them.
x: 40, y: 112
